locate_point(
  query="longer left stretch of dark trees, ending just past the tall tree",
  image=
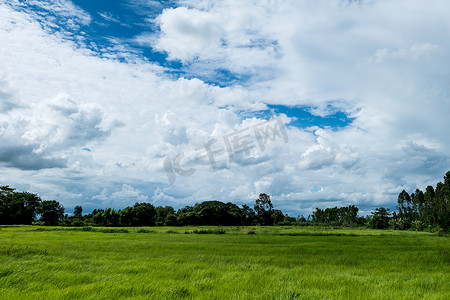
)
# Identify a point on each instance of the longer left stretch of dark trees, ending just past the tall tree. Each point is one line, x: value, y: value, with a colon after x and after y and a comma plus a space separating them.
x: 27, y: 208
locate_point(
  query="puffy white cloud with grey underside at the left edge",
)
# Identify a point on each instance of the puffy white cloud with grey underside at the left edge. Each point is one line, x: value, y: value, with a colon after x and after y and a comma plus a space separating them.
x: 36, y: 137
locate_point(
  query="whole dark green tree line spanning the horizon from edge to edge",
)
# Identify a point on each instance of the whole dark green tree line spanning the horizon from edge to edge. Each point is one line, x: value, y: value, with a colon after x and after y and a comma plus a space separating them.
x: 418, y: 211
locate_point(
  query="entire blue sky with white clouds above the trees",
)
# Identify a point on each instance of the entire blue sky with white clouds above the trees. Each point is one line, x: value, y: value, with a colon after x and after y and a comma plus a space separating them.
x: 317, y: 103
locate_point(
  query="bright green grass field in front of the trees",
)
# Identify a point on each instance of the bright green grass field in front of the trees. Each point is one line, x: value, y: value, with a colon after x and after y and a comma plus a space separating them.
x: 271, y: 263
